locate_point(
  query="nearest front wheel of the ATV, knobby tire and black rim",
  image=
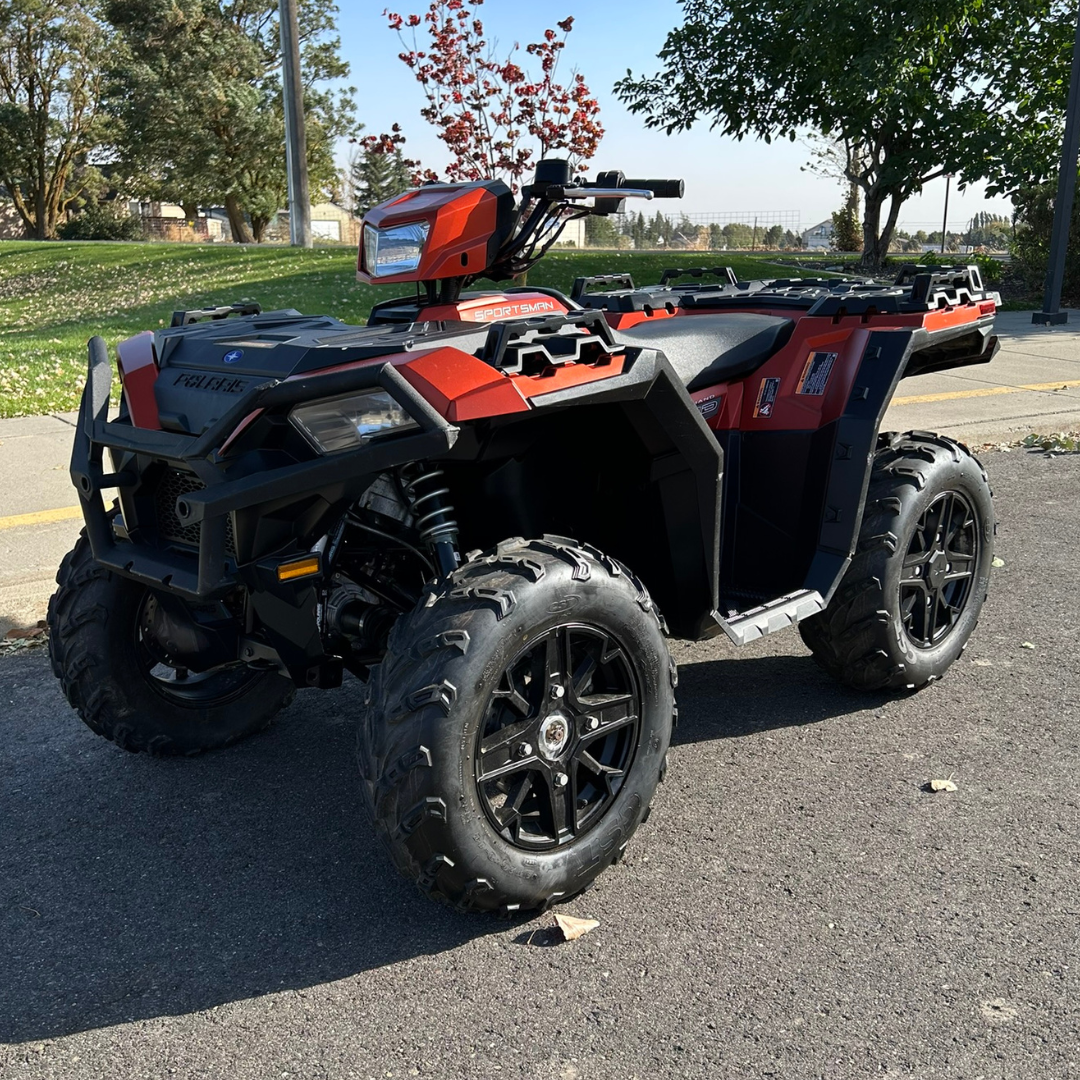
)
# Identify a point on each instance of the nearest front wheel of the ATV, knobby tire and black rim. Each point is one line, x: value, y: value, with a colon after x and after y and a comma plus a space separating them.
x: 517, y: 730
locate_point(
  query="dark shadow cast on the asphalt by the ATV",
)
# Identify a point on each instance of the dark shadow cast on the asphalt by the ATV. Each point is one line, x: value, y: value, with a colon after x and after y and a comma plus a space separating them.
x: 133, y: 888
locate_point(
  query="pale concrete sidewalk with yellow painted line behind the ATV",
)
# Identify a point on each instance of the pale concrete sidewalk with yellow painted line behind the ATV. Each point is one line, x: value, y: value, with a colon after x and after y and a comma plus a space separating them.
x: 1033, y: 385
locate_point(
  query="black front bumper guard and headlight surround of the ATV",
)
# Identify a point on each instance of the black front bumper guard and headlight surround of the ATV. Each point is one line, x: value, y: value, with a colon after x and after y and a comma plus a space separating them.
x: 209, y: 571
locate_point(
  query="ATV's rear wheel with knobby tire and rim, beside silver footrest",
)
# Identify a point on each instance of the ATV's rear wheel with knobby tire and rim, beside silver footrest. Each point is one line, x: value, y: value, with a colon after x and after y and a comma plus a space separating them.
x: 913, y: 595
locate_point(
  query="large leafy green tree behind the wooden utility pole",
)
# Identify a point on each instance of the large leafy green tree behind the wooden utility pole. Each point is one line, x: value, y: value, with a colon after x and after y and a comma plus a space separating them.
x: 198, y: 90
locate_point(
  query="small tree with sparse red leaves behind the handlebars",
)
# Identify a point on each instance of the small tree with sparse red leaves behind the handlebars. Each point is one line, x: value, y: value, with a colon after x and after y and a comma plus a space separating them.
x: 493, y: 114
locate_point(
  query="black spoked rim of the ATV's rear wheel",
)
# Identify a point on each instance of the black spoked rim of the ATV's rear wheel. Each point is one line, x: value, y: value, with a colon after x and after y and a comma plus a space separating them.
x: 939, y: 570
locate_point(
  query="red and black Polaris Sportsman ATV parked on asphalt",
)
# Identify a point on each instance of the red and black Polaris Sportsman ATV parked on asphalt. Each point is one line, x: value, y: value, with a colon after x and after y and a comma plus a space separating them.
x: 299, y: 498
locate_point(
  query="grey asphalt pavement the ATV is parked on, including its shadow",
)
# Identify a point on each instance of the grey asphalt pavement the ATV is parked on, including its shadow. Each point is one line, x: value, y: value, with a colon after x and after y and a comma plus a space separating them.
x: 798, y: 906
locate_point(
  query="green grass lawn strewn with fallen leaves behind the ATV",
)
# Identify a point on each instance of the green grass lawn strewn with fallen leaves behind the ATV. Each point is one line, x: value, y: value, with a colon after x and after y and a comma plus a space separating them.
x: 56, y: 296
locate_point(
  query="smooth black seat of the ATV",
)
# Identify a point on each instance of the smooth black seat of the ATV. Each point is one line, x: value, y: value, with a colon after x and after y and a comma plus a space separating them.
x: 709, y: 349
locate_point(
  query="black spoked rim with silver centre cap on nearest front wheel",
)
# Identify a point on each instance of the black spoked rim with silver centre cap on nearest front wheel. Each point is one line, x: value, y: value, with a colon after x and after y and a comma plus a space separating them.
x: 559, y: 737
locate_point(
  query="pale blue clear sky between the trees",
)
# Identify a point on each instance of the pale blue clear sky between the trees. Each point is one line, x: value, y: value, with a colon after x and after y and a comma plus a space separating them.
x: 722, y: 175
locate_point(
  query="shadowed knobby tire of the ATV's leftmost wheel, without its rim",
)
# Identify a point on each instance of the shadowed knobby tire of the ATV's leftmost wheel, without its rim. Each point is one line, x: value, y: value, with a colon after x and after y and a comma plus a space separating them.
x: 106, y: 673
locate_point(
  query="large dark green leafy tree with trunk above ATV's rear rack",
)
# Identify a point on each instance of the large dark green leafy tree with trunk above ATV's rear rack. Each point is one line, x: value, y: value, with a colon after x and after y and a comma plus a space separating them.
x: 900, y: 88
